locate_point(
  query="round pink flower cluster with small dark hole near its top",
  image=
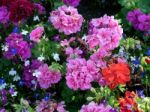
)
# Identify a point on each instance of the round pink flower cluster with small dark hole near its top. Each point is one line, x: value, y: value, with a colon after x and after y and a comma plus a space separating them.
x: 66, y: 19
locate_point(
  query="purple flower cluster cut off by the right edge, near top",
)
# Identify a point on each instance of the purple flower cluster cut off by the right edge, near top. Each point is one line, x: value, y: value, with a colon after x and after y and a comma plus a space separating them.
x: 139, y: 20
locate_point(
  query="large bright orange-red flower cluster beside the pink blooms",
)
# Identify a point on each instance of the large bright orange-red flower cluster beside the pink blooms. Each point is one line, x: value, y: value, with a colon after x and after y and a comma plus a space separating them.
x: 116, y: 73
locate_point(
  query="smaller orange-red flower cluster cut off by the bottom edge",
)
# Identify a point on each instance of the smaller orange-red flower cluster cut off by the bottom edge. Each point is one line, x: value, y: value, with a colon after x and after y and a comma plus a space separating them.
x: 128, y: 104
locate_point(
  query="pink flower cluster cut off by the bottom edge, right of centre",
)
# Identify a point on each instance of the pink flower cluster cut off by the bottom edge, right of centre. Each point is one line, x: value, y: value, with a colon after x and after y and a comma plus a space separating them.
x: 94, y: 107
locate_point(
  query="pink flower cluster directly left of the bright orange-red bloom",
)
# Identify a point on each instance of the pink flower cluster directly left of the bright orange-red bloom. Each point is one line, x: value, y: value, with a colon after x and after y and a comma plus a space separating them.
x: 80, y: 73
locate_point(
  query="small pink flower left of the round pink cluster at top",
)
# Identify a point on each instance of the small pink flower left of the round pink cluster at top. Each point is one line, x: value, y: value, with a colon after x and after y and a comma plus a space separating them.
x: 36, y: 34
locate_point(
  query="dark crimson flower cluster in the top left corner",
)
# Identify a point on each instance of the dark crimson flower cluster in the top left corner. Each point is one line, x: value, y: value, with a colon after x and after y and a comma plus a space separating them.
x: 20, y: 9
